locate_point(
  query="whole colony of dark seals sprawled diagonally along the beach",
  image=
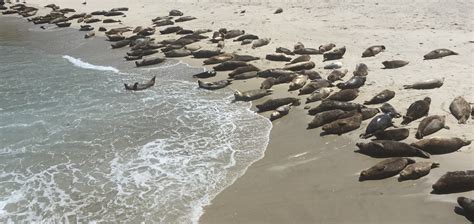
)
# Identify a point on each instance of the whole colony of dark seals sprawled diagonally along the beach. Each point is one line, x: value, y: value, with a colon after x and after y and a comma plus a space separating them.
x: 333, y: 90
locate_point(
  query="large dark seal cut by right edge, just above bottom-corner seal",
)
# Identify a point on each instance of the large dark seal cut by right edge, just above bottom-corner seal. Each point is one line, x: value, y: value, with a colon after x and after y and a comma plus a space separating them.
x: 454, y: 182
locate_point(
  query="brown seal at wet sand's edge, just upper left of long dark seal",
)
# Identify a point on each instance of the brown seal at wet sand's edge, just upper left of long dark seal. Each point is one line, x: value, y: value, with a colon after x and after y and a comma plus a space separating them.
x: 343, y: 125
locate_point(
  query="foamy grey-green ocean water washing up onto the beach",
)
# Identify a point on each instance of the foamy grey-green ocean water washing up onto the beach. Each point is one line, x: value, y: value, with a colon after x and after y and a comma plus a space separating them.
x: 75, y: 147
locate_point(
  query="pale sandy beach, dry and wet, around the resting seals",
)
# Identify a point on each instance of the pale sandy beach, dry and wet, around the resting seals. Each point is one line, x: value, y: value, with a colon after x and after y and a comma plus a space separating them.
x: 306, y: 178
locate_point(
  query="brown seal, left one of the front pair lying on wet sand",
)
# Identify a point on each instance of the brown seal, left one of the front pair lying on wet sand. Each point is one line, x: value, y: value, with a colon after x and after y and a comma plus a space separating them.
x: 385, y: 169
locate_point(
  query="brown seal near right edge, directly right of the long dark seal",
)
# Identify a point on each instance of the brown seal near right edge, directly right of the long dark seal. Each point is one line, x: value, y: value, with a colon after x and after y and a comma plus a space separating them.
x: 441, y: 145
